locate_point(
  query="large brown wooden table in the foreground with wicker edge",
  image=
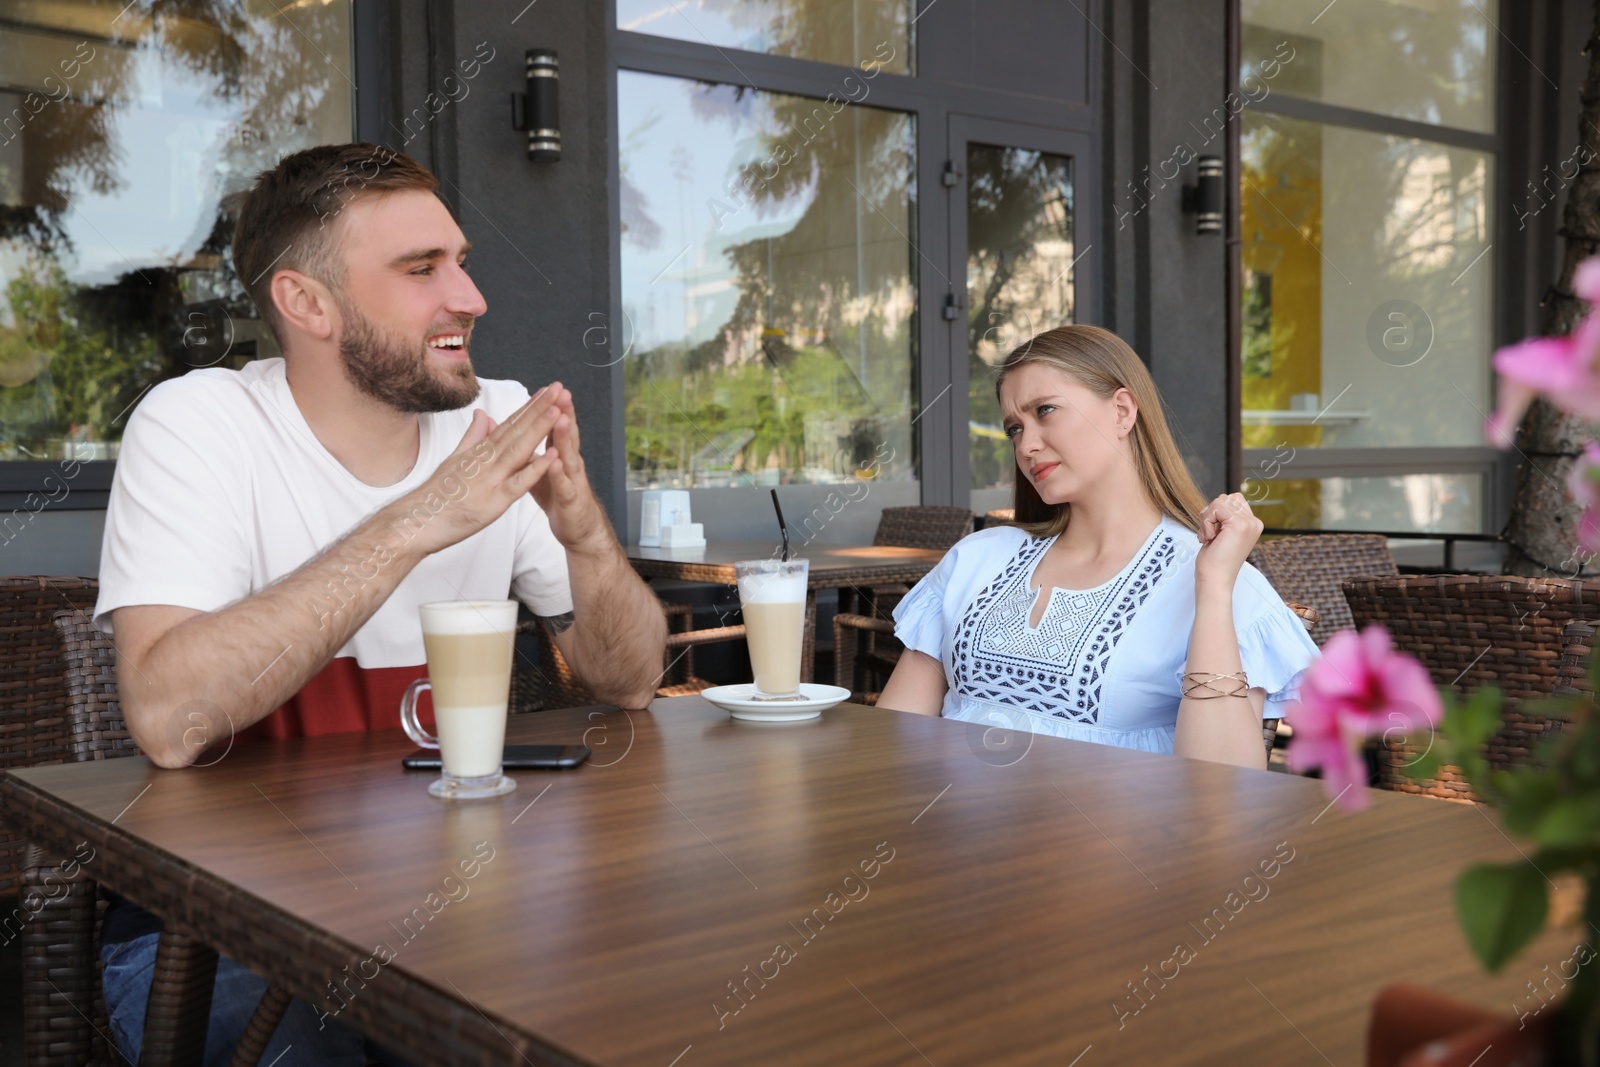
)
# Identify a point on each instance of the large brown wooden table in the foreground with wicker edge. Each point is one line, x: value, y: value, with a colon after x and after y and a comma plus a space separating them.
x: 700, y: 895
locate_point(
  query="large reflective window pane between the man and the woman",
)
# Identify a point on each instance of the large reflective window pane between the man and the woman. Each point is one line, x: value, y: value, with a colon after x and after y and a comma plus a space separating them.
x: 767, y: 287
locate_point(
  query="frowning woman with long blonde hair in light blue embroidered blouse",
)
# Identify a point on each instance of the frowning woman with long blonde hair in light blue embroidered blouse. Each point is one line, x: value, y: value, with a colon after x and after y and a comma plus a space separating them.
x: 1119, y: 609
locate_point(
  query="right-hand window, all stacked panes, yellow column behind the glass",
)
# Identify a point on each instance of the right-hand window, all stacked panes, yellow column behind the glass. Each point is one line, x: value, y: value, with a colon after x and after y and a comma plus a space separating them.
x: 1367, y: 258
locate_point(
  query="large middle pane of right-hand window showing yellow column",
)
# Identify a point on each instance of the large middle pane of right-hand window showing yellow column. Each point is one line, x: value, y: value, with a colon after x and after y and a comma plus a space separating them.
x: 1369, y: 287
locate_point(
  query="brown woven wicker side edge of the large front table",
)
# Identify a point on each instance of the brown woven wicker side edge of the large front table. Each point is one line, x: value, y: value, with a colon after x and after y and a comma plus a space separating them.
x: 60, y: 828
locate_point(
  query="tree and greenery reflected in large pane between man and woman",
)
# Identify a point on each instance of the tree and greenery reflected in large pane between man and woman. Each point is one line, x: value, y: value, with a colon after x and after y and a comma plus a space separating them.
x: 809, y: 378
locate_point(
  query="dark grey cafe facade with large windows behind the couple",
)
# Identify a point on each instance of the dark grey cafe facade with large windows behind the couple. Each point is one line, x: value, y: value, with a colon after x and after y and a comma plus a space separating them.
x: 785, y: 244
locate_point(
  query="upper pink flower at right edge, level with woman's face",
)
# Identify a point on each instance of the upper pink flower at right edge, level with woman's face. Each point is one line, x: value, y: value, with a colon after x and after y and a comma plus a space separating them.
x: 1562, y: 370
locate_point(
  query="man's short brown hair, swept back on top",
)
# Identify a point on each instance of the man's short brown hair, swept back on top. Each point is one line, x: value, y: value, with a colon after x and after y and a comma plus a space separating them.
x: 286, y: 222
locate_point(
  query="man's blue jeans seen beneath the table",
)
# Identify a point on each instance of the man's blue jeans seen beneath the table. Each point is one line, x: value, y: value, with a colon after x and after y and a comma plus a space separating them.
x: 302, y: 1037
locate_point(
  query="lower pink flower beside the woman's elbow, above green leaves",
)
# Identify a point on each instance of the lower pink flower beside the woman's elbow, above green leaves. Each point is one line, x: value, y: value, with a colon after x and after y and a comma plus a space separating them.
x: 1359, y: 689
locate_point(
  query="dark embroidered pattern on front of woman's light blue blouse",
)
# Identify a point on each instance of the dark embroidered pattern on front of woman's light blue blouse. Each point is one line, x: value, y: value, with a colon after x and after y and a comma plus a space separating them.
x: 1058, y: 668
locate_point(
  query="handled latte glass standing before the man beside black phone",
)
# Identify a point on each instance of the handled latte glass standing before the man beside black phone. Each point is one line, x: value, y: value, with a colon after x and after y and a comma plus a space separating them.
x: 470, y: 650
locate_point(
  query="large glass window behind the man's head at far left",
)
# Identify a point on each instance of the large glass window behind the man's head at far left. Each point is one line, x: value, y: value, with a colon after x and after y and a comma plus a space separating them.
x: 121, y: 135
